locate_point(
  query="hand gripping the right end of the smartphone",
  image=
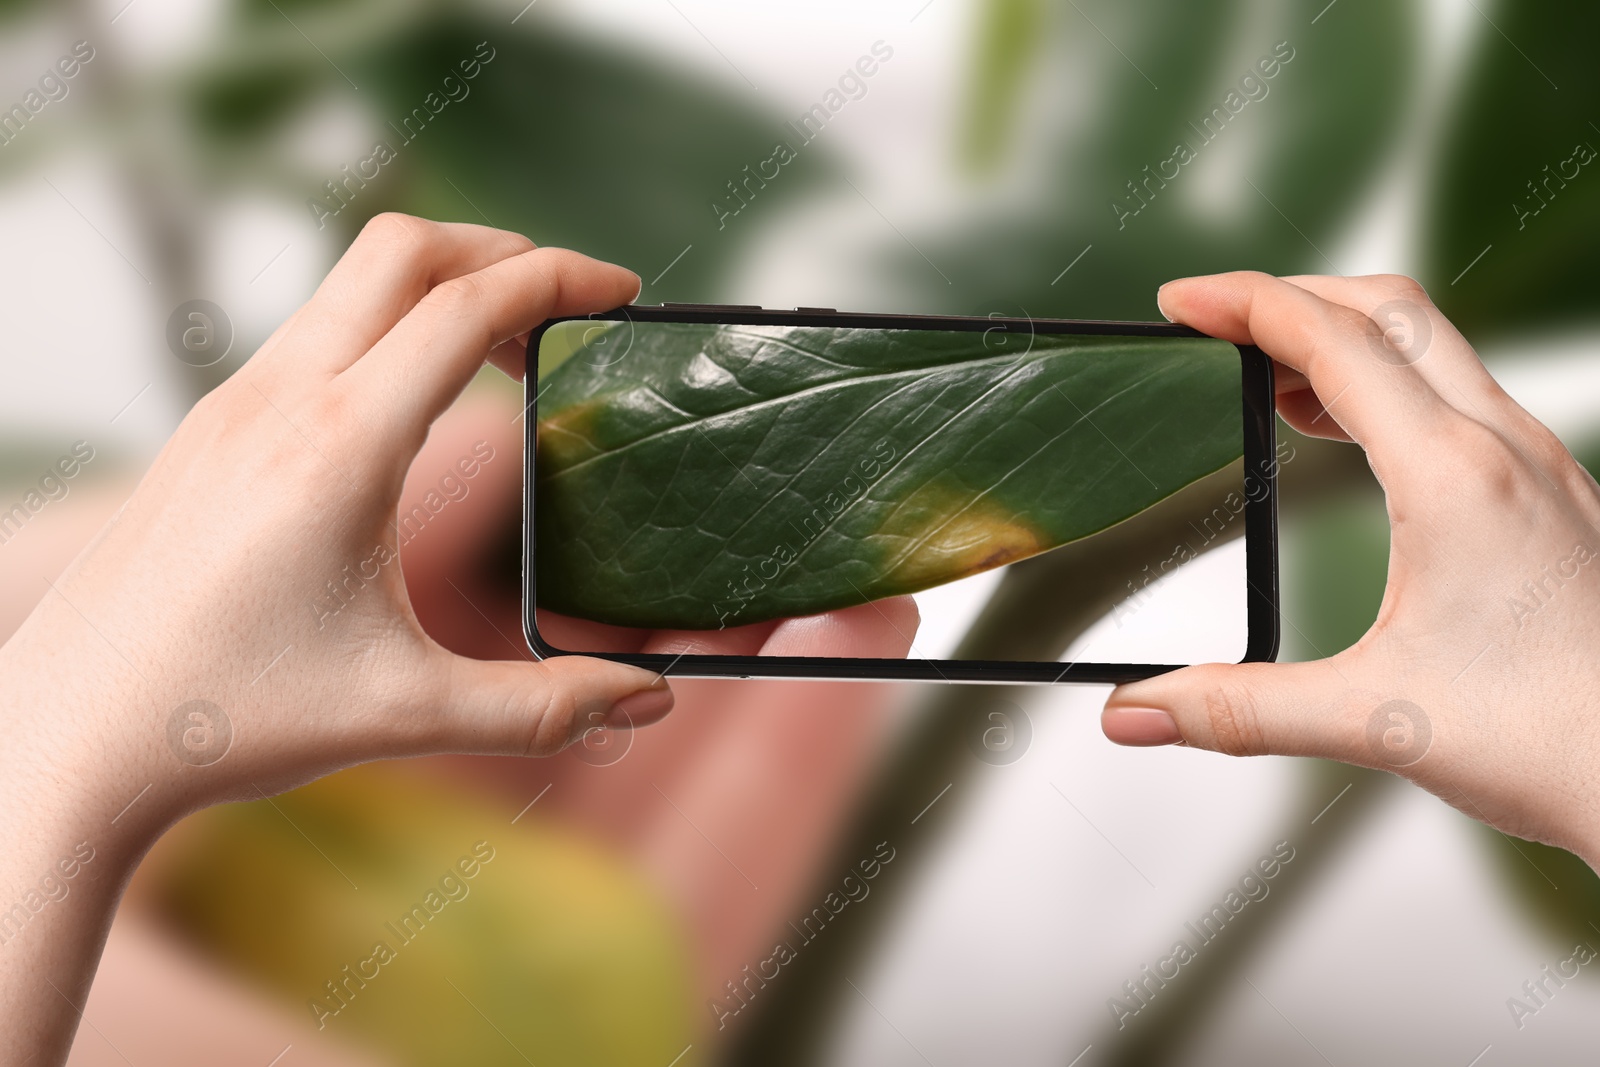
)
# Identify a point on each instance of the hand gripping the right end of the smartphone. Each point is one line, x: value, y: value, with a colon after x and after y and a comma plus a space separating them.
x: 1481, y: 677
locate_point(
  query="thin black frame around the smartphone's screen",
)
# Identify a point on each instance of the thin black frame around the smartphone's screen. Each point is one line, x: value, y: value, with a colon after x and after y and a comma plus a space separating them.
x: 1262, y: 541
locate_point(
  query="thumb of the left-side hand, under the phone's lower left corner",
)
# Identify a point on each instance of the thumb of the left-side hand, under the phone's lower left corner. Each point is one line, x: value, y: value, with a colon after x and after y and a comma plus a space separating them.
x: 519, y: 708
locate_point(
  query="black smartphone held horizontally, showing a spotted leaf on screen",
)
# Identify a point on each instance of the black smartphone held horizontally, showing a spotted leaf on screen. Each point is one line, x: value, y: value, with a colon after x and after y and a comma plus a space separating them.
x: 1060, y: 502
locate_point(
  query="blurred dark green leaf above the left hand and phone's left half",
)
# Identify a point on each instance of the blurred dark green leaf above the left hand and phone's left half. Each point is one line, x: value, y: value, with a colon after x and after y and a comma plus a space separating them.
x: 575, y: 143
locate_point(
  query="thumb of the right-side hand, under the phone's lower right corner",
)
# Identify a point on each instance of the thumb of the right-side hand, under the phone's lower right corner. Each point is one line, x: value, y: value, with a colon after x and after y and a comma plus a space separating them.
x: 1241, y: 709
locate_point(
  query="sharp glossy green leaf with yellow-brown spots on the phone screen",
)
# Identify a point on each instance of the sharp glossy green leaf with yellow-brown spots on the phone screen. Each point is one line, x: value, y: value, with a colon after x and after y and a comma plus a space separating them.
x: 740, y: 474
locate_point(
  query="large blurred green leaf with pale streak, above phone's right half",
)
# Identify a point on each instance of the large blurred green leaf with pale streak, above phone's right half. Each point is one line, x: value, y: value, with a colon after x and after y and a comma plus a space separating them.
x: 1270, y: 188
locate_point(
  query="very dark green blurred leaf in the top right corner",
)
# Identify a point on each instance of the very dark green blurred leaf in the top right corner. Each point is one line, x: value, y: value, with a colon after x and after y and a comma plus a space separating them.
x: 1505, y: 250
